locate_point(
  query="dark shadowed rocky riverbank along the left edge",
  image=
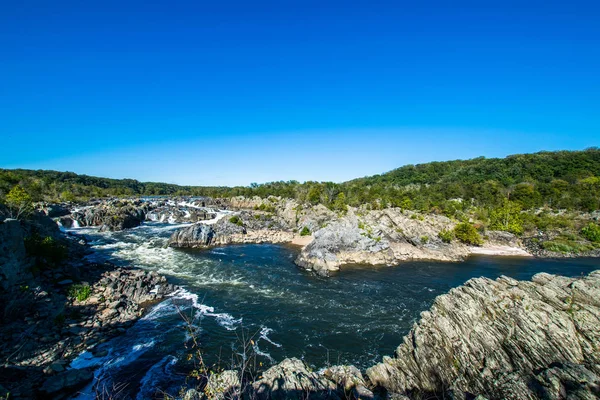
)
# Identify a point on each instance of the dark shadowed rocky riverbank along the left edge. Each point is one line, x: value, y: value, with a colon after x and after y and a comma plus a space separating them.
x: 53, y: 311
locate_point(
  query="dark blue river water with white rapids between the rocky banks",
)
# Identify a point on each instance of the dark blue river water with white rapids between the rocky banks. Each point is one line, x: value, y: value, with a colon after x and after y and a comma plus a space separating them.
x: 256, y: 292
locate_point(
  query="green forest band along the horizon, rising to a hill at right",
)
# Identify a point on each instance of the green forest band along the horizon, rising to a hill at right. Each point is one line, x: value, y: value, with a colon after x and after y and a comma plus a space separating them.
x: 559, y: 180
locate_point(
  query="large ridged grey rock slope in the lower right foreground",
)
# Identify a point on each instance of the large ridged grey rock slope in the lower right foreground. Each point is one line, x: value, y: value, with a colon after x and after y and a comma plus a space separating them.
x: 503, y: 339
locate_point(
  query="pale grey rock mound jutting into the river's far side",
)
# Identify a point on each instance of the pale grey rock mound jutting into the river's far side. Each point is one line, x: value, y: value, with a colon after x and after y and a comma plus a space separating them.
x: 379, y: 237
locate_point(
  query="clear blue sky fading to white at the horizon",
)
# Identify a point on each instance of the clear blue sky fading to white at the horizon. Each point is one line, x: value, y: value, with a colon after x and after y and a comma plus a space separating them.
x: 228, y: 92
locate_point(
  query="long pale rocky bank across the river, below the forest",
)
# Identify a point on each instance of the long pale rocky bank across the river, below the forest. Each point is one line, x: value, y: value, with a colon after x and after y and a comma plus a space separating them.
x: 356, y: 236
